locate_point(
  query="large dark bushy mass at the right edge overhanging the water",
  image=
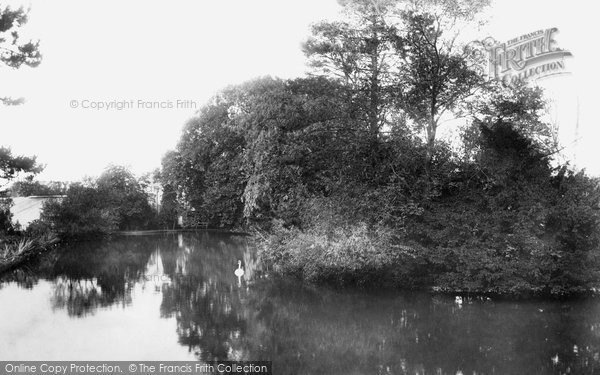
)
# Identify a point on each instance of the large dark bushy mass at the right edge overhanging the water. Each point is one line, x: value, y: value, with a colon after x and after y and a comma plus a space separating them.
x: 512, y: 224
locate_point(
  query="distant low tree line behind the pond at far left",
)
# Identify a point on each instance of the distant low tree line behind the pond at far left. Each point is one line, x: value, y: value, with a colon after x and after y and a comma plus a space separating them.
x: 115, y: 201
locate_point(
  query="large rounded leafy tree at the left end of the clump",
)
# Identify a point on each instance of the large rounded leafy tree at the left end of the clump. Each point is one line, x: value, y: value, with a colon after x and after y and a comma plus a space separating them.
x: 258, y: 146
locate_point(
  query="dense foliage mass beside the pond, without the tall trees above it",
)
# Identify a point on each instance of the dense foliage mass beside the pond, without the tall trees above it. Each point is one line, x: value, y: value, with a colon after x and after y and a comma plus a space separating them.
x: 497, y: 215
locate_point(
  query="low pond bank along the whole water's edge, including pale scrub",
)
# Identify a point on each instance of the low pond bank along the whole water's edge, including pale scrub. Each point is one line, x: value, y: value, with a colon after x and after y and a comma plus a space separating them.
x: 352, y: 260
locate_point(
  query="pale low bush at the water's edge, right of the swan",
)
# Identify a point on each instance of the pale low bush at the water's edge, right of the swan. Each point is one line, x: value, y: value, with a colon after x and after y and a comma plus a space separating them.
x: 352, y: 255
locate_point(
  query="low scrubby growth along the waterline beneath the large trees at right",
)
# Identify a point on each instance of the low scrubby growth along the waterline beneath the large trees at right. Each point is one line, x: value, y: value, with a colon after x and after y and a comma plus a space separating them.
x: 359, y: 256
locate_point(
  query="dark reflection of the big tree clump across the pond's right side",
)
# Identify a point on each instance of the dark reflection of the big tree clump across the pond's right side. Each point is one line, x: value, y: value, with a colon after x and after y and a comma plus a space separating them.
x: 306, y: 330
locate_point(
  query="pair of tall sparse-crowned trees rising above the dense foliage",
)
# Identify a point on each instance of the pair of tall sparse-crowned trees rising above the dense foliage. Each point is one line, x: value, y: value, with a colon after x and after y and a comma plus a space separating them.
x: 399, y: 56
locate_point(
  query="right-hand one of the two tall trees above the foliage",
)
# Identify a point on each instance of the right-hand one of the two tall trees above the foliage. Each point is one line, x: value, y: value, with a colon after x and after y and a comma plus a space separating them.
x: 436, y: 74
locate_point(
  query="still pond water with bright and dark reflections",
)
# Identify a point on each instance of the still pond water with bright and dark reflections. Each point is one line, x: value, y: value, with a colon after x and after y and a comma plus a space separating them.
x: 176, y: 297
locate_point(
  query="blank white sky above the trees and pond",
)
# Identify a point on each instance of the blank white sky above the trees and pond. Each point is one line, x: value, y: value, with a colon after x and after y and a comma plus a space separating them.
x: 142, y: 55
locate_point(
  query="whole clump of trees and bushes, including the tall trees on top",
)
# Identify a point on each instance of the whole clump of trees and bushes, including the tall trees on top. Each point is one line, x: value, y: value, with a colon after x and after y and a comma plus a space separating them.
x: 345, y: 181
